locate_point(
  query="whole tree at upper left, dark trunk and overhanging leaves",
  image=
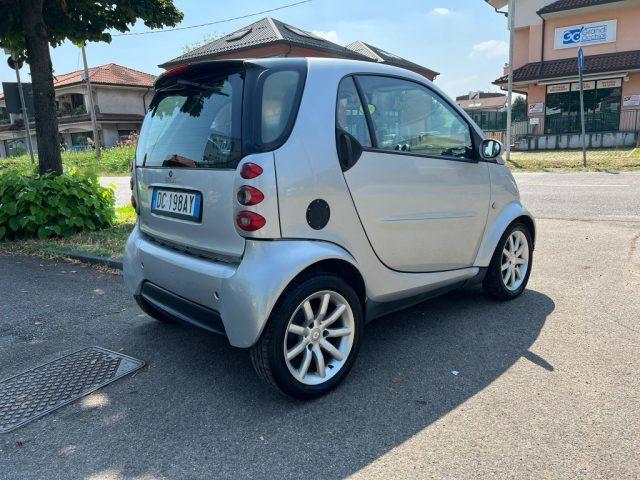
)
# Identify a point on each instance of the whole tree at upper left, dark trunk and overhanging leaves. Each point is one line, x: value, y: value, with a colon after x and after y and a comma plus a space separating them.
x: 29, y: 27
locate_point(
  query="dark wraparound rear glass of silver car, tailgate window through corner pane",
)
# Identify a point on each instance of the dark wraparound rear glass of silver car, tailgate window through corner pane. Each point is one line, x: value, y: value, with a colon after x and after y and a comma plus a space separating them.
x: 203, y: 119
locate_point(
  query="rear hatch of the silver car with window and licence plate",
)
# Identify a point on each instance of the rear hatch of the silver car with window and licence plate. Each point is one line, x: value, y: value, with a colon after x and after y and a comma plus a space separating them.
x: 188, y: 150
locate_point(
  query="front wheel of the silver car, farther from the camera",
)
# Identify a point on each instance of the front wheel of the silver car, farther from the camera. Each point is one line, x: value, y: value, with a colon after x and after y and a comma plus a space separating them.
x: 494, y: 282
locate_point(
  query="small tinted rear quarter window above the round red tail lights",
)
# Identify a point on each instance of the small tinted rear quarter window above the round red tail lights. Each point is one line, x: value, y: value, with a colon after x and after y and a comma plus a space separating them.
x: 278, y: 100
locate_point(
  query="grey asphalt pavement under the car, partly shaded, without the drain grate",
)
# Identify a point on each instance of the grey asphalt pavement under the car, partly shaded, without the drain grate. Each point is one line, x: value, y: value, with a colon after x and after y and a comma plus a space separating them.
x: 548, y: 384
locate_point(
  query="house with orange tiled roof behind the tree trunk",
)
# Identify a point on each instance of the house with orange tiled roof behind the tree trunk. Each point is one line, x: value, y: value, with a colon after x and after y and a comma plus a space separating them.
x: 121, y: 96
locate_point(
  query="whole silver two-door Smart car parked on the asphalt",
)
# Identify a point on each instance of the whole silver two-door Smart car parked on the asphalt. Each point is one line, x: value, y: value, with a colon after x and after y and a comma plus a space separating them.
x: 286, y: 202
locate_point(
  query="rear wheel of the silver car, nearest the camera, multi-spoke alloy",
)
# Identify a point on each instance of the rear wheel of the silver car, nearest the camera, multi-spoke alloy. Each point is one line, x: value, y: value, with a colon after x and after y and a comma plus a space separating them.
x: 288, y: 328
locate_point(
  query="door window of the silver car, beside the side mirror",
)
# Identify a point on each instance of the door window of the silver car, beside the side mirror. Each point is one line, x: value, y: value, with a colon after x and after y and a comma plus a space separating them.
x: 410, y: 118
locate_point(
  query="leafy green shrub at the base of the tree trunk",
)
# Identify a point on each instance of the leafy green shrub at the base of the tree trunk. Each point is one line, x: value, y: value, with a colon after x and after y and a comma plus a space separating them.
x: 49, y: 205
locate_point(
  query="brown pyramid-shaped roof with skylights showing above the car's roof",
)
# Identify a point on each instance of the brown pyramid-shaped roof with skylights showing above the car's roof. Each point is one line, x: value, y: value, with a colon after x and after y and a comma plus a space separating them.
x: 269, y: 37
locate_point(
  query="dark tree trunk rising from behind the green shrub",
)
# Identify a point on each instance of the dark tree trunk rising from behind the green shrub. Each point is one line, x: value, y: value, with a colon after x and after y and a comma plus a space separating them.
x: 39, y: 59
